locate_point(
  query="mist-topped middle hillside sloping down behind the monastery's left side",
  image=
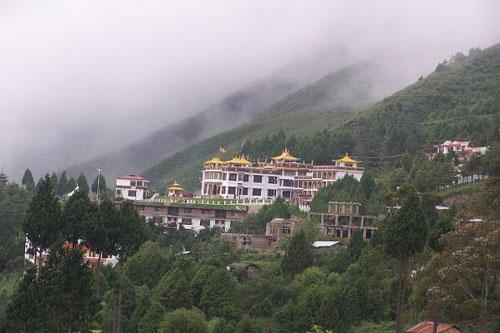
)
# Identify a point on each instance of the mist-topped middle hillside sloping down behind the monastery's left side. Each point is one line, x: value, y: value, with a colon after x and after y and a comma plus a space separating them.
x: 321, y: 105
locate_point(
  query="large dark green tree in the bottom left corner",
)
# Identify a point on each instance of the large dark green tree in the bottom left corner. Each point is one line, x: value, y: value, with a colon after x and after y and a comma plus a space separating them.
x: 58, y: 299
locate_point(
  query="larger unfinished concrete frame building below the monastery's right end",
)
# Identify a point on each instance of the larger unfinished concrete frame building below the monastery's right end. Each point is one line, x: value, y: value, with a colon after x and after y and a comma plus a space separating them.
x: 343, y: 219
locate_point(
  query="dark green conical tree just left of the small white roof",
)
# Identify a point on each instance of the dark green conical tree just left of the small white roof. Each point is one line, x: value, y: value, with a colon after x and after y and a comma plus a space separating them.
x: 298, y: 254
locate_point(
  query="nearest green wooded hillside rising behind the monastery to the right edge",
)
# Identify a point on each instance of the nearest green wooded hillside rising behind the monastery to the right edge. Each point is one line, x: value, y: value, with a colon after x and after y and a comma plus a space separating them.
x: 460, y: 100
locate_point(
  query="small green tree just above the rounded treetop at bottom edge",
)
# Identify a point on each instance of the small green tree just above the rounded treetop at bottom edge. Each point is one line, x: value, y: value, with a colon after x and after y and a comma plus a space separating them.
x: 174, y: 290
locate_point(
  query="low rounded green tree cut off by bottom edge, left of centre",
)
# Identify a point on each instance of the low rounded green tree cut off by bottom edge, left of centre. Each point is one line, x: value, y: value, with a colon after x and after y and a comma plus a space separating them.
x: 184, y: 321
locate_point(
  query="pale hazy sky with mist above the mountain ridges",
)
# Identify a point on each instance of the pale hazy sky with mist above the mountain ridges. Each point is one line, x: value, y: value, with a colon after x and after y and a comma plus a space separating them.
x: 78, y: 78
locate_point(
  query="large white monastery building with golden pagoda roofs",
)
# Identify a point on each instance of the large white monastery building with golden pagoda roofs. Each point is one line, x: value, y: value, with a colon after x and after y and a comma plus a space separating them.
x: 284, y: 176
